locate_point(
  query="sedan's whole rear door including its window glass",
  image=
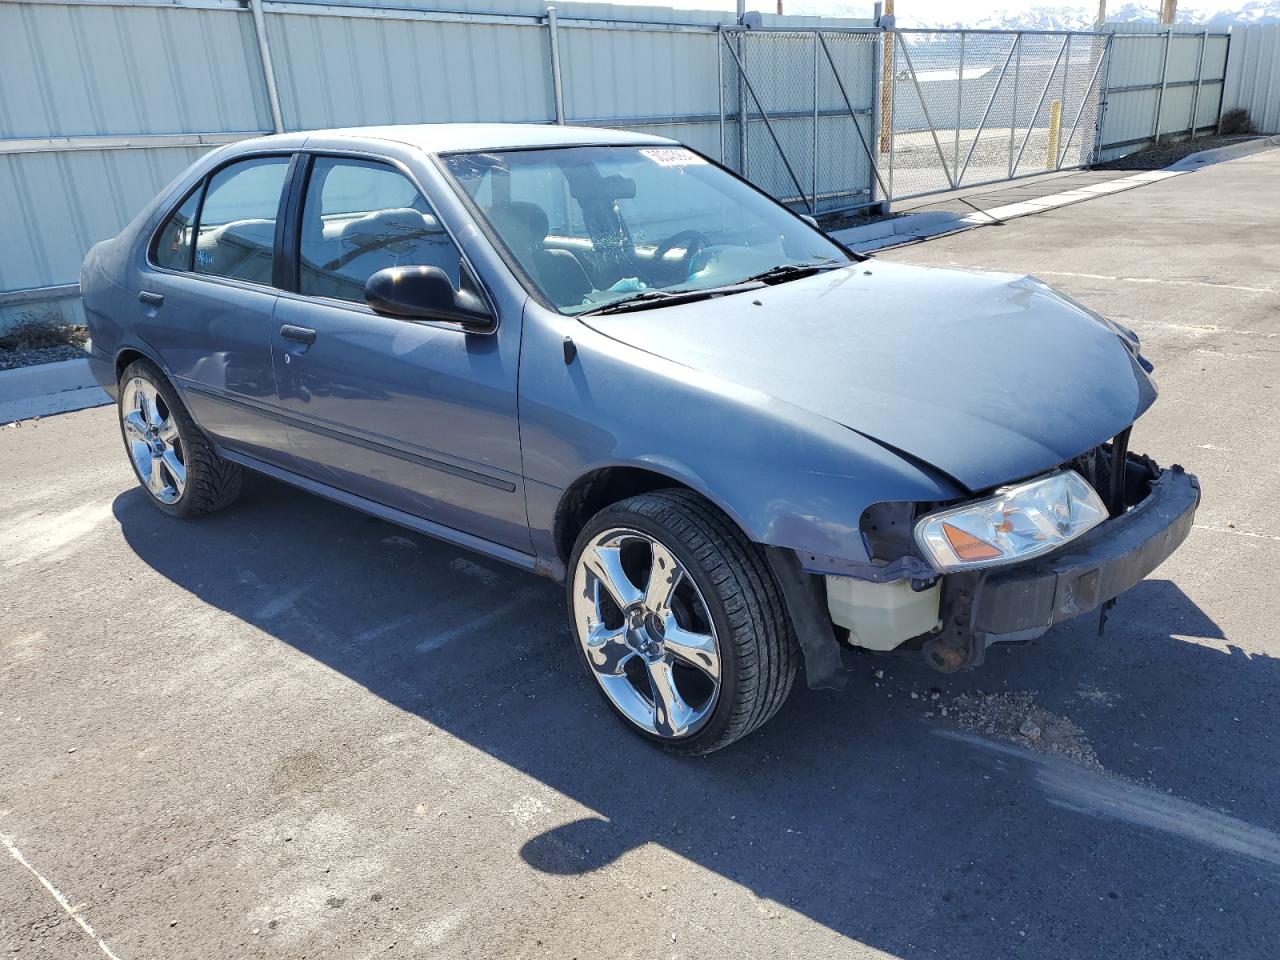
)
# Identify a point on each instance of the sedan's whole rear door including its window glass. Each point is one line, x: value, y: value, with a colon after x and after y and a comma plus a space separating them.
x: 207, y: 303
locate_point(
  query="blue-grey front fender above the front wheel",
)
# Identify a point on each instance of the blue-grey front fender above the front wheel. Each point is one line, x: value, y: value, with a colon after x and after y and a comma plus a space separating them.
x: 787, y: 477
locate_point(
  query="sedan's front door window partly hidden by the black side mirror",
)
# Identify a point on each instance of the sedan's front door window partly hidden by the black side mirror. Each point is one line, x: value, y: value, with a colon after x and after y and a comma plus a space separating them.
x: 360, y: 217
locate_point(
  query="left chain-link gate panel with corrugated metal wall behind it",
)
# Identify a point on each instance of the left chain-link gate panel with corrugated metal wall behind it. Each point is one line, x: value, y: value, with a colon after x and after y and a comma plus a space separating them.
x: 798, y: 115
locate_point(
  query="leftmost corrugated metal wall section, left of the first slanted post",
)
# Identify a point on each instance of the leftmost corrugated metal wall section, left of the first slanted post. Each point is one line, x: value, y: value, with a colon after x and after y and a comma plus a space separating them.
x: 97, y: 72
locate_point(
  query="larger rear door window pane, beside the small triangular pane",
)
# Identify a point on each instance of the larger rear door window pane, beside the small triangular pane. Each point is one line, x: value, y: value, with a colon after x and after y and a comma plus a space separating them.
x: 236, y: 237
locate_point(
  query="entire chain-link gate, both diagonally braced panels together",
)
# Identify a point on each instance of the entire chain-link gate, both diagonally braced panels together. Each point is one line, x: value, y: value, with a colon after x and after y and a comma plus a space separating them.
x: 831, y: 121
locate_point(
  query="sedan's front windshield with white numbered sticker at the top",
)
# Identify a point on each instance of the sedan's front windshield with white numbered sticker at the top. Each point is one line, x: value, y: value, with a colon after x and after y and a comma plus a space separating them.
x: 600, y: 226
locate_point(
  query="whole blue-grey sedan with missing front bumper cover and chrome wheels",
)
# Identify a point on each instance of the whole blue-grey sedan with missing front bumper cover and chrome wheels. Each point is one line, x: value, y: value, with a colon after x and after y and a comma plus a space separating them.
x: 604, y: 358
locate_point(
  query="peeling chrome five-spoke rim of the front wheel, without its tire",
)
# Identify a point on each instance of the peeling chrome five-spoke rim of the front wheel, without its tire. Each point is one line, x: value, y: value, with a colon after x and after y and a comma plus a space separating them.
x: 647, y: 633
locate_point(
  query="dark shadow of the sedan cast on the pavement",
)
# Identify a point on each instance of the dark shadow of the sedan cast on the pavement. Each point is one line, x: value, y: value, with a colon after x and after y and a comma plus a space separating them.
x: 863, y: 811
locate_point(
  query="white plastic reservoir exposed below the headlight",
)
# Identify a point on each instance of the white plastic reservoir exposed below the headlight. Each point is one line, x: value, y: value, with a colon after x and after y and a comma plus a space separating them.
x: 881, y: 616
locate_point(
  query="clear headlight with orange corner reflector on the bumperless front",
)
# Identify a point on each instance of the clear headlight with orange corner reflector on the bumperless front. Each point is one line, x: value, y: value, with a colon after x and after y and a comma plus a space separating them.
x: 1017, y: 524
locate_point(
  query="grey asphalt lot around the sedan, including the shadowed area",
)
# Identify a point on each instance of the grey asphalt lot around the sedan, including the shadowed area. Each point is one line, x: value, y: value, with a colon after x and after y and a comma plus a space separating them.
x: 291, y: 730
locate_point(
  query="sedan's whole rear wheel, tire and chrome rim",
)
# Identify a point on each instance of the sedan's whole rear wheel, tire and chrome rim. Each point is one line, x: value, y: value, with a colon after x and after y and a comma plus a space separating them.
x: 177, y: 465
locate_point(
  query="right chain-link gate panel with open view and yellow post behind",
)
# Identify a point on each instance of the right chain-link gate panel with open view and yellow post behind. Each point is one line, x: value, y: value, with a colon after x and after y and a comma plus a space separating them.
x: 977, y: 107
